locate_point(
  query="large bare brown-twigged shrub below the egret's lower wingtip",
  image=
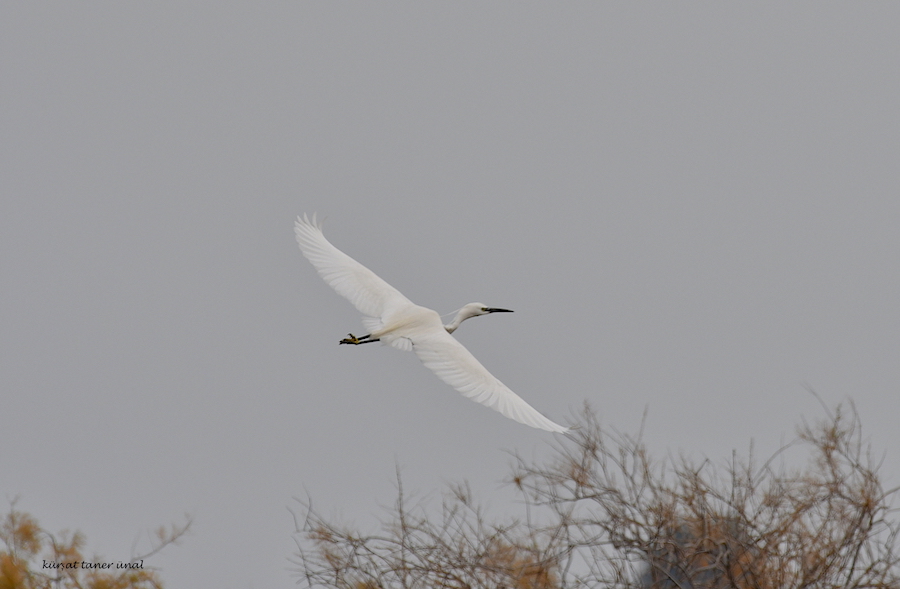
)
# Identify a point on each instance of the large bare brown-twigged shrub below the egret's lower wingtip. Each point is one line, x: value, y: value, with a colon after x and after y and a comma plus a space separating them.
x: 603, y: 513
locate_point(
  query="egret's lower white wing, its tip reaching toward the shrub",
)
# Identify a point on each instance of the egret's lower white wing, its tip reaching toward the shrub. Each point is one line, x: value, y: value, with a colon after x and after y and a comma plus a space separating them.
x: 456, y: 366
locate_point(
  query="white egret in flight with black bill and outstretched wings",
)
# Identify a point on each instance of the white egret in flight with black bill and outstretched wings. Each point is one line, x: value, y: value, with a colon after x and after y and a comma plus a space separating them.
x: 393, y: 319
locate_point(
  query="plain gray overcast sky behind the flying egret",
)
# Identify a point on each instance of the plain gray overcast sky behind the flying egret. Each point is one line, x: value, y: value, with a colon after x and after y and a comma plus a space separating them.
x: 692, y: 207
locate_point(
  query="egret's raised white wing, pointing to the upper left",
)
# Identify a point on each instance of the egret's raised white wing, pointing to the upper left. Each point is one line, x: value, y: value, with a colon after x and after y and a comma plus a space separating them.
x: 353, y: 281
